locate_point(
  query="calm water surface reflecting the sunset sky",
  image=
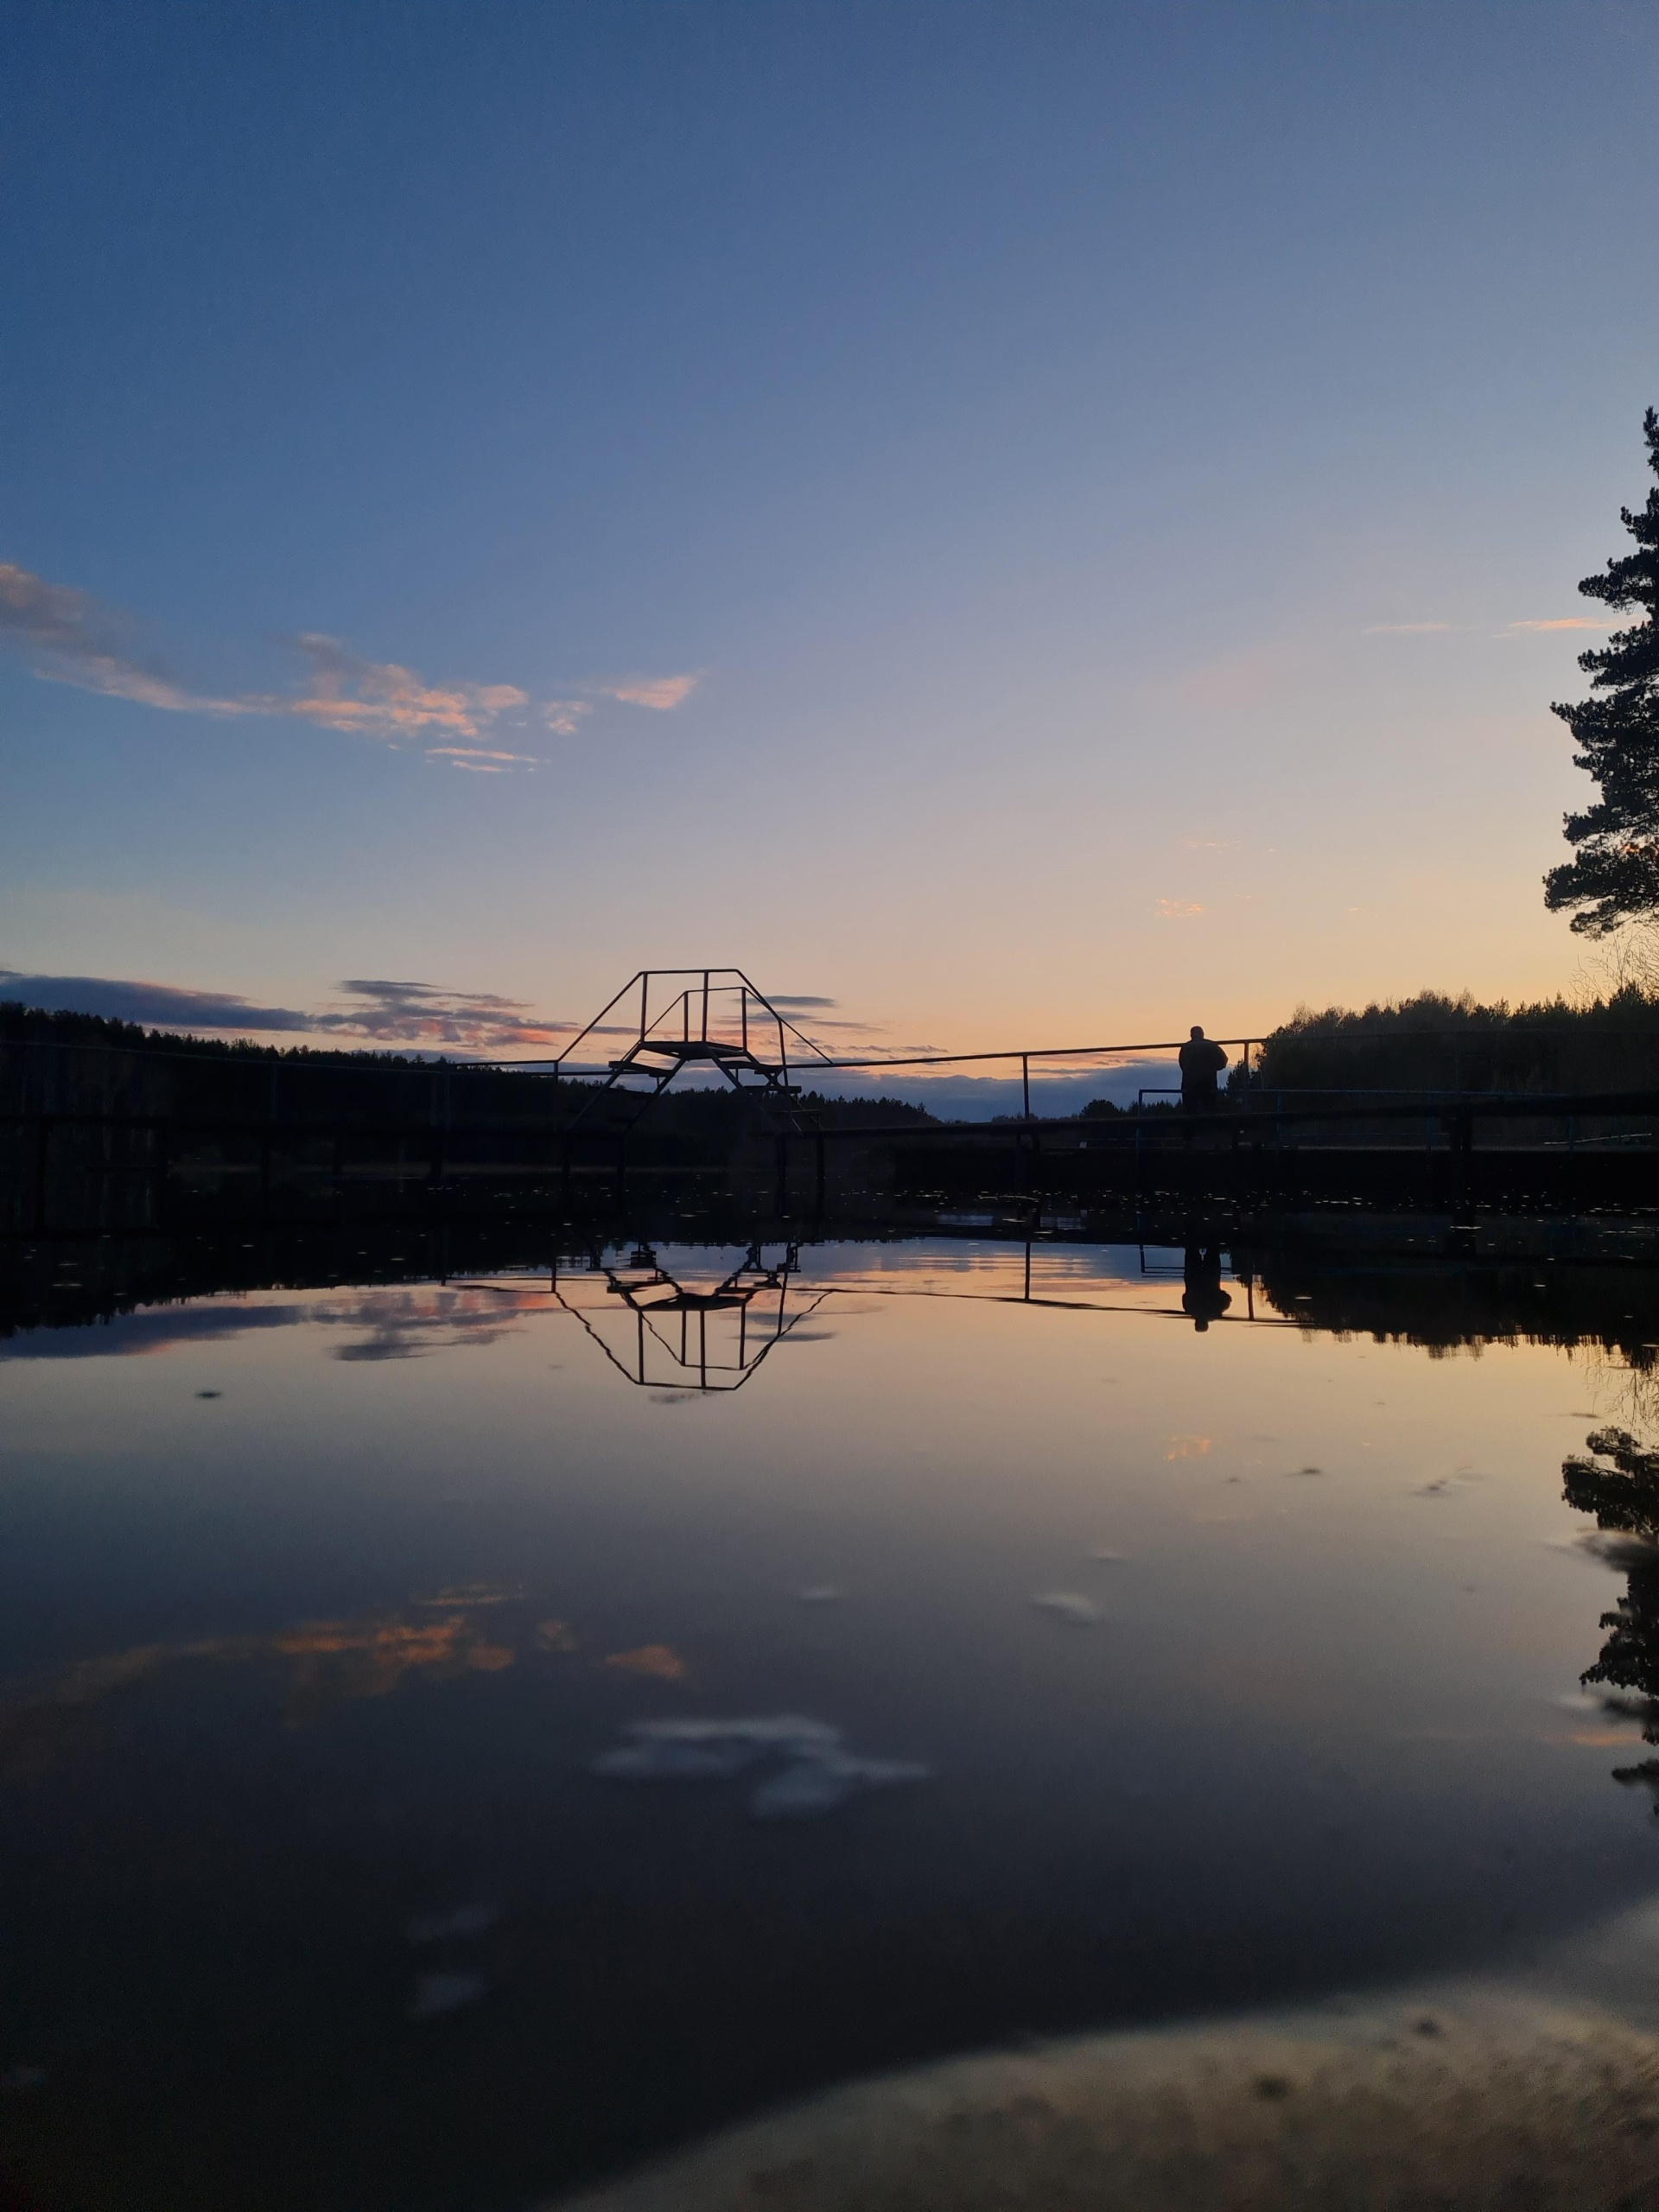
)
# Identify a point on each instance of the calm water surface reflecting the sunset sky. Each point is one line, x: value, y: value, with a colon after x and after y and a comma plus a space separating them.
x: 1030, y: 1665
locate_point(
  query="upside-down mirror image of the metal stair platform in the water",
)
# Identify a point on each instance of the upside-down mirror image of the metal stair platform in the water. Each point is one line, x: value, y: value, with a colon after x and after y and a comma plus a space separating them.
x: 689, y: 1339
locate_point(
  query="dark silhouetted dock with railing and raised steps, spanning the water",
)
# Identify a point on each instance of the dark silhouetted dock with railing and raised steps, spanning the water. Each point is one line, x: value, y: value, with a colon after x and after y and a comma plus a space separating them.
x: 118, y: 1138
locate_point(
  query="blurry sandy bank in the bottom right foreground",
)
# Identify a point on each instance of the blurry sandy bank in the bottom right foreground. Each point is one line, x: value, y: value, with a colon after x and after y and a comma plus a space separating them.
x: 1452, y: 2100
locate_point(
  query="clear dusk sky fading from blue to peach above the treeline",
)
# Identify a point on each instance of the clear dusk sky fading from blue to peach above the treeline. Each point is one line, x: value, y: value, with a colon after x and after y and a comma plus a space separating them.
x: 1012, y: 523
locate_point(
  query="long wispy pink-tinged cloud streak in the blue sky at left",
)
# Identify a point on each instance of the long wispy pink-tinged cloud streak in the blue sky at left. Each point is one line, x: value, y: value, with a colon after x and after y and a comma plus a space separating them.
x: 72, y: 638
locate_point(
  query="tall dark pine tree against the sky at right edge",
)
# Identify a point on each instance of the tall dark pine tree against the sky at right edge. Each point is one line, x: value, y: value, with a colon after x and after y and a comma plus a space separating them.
x: 1616, y: 875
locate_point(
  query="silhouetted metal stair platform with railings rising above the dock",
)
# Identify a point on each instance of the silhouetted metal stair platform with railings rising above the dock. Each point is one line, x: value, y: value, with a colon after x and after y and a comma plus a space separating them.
x: 693, y: 1019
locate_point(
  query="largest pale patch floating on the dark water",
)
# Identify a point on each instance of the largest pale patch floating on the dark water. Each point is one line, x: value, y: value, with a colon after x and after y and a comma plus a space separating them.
x: 813, y: 1777
